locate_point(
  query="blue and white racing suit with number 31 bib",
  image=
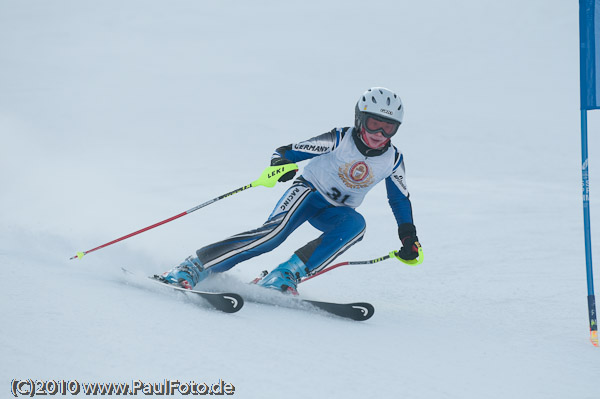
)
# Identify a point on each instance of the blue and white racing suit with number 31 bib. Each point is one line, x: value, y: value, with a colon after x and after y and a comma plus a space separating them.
x: 340, y: 173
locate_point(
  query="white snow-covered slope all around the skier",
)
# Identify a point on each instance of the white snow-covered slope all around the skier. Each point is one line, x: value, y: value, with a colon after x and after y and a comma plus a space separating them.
x: 115, y: 115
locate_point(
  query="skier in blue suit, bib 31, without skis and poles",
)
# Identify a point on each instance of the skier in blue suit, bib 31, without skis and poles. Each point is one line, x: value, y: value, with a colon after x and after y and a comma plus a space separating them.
x: 345, y: 164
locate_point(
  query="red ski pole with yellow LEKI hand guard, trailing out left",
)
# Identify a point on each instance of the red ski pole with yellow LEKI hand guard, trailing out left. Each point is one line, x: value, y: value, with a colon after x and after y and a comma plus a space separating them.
x: 268, y: 178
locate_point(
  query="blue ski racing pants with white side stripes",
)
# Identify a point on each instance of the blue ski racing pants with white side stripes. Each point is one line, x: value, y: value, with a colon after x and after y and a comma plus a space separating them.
x: 341, y: 226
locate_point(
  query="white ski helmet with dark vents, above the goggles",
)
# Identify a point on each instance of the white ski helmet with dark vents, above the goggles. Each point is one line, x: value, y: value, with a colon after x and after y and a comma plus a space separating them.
x: 381, y: 103
